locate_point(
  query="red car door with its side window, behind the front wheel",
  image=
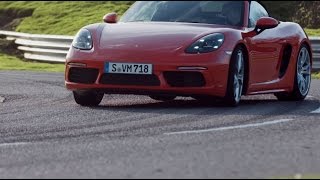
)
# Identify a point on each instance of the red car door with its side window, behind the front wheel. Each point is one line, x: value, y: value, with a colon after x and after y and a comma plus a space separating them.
x: 265, y: 49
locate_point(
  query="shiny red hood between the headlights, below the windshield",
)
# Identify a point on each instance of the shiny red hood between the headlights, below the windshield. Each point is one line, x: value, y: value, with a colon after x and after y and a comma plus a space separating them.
x: 153, y: 36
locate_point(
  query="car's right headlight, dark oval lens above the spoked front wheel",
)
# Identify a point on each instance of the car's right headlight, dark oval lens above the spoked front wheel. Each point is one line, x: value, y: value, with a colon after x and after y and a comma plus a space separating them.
x: 206, y: 44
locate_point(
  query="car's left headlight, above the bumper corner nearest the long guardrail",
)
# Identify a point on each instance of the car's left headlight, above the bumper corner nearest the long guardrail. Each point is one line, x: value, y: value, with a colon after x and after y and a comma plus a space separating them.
x: 83, y: 40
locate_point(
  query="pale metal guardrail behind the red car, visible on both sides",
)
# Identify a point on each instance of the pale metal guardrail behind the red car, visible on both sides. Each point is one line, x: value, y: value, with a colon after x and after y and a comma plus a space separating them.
x: 54, y: 48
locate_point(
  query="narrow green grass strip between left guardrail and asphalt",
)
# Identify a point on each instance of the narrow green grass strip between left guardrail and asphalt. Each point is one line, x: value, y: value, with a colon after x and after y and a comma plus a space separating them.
x: 13, y: 63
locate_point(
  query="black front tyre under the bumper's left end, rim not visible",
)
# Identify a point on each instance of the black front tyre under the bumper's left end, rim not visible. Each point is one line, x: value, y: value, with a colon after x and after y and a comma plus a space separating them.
x: 88, y: 98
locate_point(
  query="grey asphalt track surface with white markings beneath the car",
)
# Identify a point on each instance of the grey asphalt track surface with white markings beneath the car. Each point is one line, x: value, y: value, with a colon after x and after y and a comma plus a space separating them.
x: 45, y: 134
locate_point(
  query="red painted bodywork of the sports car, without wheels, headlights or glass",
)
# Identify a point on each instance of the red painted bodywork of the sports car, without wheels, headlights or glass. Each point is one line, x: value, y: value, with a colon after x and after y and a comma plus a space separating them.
x: 163, y: 44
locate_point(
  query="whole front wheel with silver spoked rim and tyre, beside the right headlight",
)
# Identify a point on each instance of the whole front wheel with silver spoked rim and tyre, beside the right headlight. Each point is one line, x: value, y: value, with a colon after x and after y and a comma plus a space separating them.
x: 235, y: 78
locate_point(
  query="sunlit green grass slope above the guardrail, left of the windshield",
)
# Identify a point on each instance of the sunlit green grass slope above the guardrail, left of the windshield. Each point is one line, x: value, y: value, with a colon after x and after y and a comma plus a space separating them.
x: 62, y: 17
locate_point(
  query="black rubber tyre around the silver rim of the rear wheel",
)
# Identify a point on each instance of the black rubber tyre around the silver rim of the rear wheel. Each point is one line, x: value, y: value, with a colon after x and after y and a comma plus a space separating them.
x: 296, y: 94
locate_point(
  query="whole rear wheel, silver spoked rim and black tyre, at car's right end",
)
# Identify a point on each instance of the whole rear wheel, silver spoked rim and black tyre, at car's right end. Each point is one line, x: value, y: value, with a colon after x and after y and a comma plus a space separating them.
x: 302, y: 79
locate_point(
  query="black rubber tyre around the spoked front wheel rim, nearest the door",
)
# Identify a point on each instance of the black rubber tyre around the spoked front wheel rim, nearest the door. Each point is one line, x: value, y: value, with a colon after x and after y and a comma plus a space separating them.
x: 230, y: 98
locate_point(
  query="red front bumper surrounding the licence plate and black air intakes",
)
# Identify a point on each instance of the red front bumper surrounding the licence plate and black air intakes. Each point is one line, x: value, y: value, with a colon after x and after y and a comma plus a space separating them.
x: 215, y: 74
